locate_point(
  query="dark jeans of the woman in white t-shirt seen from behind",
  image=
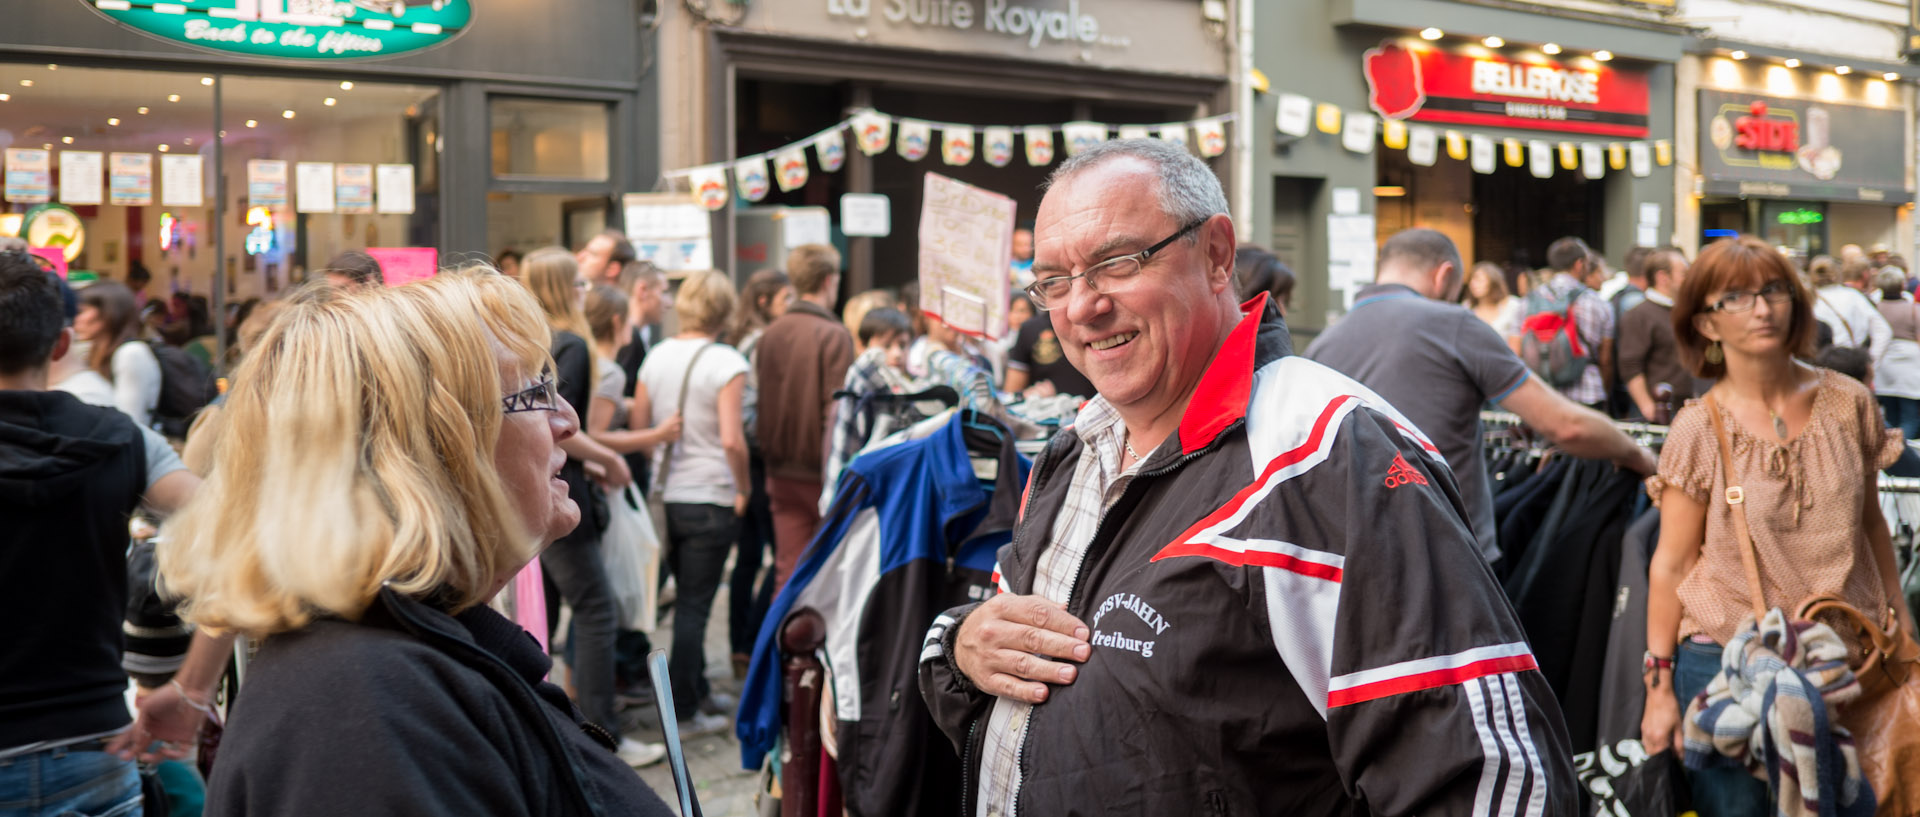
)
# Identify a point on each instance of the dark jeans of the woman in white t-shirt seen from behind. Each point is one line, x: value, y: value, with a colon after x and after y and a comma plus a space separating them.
x: 702, y: 538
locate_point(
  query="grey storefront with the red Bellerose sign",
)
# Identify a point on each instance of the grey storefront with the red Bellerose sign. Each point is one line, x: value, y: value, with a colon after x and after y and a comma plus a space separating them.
x: 1499, y: 128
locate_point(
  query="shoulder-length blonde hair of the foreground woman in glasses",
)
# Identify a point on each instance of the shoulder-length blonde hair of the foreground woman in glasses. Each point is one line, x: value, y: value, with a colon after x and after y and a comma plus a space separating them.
x: 358, y: 454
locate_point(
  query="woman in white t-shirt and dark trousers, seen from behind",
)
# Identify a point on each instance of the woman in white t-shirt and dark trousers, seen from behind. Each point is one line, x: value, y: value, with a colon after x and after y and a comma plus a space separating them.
x: 704, y: 477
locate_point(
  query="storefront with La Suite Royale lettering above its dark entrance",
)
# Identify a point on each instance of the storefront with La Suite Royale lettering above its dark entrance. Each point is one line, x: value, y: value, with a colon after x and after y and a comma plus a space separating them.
x: 780, y: 74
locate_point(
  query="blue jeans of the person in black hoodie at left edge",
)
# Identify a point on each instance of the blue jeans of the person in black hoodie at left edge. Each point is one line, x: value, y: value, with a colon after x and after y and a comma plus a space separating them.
x: 64, y: 782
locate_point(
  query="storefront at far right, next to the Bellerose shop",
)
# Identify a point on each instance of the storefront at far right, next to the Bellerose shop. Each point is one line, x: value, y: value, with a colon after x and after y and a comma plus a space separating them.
x: 1802, y: 156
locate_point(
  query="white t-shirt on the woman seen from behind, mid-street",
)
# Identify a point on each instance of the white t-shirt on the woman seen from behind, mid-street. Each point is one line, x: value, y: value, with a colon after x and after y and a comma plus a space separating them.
x: 700, y: 473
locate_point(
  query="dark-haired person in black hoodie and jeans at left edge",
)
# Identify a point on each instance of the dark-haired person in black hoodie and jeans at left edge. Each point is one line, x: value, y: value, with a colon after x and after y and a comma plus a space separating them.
x: 70, y: 479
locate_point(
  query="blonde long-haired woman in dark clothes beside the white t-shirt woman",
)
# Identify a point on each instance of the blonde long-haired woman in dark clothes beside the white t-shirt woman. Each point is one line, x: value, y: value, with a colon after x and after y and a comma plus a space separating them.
x: 575, y: 563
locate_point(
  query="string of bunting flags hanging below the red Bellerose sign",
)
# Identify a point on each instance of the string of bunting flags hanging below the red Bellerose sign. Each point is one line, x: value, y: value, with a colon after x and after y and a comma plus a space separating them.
x: 1301, y: 118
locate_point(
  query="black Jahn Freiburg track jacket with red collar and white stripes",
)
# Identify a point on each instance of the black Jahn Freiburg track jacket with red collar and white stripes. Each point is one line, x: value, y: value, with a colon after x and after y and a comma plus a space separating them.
x: 1291, y: 619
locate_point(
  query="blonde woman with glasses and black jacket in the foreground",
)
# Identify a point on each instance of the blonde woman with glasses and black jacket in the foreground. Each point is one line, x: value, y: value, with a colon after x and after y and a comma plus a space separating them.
x: 391, y: 459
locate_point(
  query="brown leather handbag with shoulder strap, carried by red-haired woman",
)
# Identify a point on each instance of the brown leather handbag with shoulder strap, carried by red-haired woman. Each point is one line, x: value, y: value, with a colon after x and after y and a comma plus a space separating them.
x: 1886, y: 718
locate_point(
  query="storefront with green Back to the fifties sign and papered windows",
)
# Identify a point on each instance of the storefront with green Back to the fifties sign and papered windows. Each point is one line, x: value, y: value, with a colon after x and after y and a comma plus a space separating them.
x: 229, y: 147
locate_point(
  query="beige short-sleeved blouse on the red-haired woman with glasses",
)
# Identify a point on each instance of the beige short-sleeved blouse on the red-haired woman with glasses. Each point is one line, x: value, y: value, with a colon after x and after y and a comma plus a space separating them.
x: 1804, y: 507
